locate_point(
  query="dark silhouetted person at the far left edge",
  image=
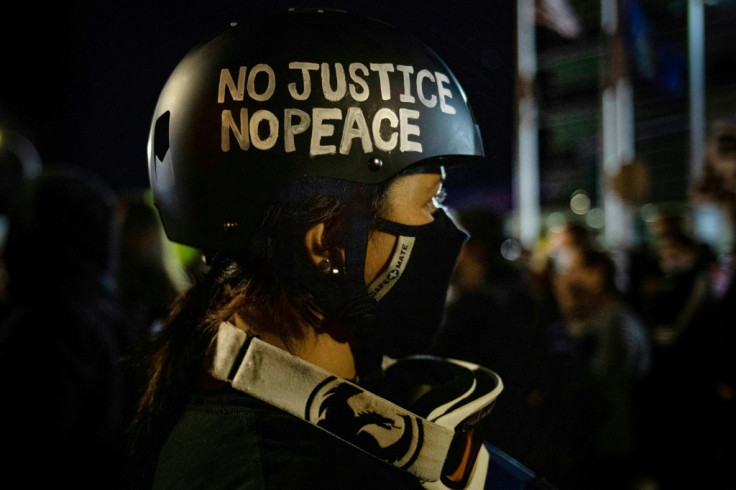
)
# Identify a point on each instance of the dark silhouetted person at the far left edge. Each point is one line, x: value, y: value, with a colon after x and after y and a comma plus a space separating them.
x: 59, y: 341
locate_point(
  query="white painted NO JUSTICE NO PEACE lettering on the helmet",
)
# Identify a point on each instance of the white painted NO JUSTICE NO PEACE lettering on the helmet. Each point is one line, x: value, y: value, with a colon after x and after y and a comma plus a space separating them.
x: 389, y: 128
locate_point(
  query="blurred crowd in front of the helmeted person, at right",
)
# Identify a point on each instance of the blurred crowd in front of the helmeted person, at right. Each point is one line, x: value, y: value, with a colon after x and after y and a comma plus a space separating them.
x: 618, y: 374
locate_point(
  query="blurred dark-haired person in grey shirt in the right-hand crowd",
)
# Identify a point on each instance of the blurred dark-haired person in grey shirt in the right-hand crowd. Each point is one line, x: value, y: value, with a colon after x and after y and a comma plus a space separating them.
x: 608, y: 344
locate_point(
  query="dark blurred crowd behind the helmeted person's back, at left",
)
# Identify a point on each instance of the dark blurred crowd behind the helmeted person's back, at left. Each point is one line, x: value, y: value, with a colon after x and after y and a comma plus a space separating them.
x: 84, y: 279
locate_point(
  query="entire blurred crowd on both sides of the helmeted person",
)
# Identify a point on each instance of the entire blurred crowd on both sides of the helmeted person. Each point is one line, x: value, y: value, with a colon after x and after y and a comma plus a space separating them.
x: 617, y: 374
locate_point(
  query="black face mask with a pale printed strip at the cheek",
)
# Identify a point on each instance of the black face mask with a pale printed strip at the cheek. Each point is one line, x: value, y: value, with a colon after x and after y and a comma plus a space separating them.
x: 411, y: 293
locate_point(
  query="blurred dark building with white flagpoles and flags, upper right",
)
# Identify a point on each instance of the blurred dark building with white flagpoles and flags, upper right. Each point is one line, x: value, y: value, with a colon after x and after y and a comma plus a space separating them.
x: 622, y: 94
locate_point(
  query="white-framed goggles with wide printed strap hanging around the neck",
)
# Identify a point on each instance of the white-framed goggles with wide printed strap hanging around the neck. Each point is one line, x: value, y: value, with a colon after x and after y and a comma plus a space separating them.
x: 427, y: 416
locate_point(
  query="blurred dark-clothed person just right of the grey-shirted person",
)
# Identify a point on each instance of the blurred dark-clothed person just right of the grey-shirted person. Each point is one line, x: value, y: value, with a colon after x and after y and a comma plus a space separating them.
x: 674, y: 306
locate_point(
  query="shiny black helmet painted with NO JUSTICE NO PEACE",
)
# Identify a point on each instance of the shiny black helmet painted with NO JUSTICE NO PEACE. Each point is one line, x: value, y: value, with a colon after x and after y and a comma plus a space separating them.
x: 272, y: 99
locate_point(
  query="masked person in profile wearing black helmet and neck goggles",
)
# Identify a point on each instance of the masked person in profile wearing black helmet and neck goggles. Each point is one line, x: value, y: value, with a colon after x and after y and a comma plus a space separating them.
x: 304, y: 154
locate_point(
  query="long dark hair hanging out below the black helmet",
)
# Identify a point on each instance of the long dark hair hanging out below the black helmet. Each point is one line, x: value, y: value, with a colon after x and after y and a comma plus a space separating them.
x: 265, y: 285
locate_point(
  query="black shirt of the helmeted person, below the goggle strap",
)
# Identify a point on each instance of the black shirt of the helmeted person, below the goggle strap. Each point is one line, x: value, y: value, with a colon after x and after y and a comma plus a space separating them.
x: 227, y: 439
